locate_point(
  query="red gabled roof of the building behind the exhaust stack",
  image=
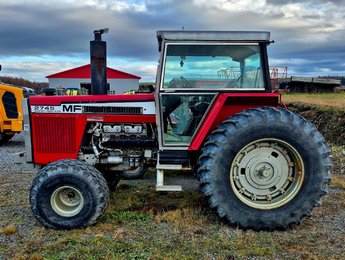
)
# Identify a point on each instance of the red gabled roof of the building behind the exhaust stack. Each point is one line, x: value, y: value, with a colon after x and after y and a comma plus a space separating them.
x: 83, y: 72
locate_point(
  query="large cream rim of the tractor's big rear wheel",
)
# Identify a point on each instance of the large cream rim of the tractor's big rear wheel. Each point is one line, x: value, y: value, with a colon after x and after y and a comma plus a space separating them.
x: 267, y: 173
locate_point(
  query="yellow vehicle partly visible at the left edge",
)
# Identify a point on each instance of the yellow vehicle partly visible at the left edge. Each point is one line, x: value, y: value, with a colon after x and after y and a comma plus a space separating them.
x: 11, y: 115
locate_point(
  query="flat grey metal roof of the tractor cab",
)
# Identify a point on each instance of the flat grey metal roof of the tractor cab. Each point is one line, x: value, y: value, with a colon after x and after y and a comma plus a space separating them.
x: 214, y: 36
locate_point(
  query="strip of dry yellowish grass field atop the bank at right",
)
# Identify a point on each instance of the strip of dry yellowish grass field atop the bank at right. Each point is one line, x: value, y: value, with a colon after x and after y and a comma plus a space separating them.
x: 336, y: 100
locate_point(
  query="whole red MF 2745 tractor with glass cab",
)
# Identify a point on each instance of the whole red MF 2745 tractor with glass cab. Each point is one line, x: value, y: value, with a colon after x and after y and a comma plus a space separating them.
x: 260, y: 165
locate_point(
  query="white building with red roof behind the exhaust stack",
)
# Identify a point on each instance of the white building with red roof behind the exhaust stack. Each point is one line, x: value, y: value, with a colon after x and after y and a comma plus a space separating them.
x: 80, y: 77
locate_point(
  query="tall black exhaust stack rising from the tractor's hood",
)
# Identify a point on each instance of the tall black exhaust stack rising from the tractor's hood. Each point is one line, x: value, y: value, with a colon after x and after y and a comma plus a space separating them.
x: 98, y: 61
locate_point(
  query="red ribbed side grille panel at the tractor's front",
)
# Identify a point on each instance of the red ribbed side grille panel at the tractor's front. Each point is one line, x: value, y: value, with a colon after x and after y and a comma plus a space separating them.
x: 55, y: 135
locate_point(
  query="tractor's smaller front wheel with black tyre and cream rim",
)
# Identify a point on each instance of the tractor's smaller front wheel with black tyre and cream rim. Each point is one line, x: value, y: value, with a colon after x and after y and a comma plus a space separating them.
x: 68, y: 194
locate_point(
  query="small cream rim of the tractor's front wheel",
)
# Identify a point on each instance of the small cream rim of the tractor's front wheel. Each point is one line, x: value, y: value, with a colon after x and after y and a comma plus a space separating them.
x: 67, y: 201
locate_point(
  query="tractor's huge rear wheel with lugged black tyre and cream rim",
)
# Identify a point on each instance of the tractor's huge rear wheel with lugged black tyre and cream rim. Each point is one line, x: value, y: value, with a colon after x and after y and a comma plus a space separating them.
x: 264, y: 168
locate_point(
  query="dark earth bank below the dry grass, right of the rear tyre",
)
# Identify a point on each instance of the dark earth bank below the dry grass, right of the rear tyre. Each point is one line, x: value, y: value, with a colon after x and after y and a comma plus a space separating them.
x: 330, y: 122
